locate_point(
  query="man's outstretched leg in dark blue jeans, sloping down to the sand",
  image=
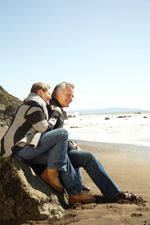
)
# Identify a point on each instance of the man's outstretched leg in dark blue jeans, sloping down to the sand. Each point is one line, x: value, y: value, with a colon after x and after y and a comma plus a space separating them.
x: 95, y: 170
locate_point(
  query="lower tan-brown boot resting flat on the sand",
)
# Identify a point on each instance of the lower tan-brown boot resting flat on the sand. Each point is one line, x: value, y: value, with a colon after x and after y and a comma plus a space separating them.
x: 82, y: 197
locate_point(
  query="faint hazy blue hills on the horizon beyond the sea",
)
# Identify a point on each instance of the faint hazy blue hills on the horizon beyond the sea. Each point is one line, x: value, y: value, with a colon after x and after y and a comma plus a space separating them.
x: 104, y: 110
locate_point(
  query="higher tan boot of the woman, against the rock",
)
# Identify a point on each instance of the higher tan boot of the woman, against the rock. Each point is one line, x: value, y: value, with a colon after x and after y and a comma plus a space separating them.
x: 50, y: 176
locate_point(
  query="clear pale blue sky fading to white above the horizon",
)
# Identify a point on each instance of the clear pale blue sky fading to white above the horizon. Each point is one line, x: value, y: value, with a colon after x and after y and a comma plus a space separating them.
x: 102, y: 46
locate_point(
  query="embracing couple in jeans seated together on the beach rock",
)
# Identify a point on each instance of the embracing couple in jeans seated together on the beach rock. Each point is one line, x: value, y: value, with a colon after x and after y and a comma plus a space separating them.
x: 36, y: 135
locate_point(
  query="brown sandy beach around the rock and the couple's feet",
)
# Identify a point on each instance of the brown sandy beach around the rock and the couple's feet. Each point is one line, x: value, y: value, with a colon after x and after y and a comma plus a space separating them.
x: 130, y: 169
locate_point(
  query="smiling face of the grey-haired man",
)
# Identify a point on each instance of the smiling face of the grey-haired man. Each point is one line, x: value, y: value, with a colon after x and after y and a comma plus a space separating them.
x: 66, y: 97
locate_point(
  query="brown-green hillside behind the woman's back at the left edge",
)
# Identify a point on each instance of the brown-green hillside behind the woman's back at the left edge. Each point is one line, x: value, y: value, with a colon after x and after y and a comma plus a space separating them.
x: 7, y: 99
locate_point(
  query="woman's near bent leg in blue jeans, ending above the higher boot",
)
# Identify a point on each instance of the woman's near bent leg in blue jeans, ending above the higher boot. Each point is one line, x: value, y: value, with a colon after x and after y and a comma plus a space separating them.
x: 51, y: 150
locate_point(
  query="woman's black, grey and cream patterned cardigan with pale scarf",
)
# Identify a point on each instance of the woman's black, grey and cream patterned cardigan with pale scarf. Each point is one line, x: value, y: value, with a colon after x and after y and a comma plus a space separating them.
x: 30, y: 121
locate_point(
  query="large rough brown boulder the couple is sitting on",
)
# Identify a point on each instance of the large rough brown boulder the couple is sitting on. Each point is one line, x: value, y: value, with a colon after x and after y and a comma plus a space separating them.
x: 23, y: 195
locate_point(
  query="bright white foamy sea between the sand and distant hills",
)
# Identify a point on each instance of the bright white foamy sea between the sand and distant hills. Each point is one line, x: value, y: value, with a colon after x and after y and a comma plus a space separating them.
x: 119, y: 128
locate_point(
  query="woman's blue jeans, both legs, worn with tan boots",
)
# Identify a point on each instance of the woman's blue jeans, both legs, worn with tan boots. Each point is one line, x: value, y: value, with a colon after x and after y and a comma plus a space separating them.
x: 52, y: 151
